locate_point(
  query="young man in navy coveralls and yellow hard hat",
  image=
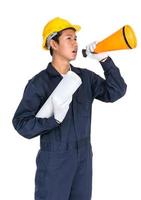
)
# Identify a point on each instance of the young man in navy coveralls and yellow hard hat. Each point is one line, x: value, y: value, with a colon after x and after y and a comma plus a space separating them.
x: 64, y: 161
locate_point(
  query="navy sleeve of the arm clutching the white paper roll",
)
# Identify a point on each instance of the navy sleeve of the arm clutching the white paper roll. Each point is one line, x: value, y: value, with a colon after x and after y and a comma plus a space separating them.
x: 24, y: 120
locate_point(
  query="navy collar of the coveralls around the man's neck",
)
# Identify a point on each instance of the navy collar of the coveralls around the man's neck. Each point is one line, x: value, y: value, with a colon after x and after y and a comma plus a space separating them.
x: 53, y: 72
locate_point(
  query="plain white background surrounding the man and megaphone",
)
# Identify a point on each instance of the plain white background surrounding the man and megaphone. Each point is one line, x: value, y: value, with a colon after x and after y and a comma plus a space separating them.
x: 115, y: 131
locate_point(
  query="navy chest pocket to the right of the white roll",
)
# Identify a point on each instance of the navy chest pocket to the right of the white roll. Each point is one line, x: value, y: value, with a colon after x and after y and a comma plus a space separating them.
x: 83, y: 103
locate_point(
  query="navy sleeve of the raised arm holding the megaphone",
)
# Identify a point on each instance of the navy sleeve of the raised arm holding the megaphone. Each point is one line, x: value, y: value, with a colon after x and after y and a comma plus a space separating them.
x: 112, y: 87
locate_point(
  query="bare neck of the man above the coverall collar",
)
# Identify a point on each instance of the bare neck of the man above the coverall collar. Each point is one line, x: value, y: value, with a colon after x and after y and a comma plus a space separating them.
x: 61, y: 66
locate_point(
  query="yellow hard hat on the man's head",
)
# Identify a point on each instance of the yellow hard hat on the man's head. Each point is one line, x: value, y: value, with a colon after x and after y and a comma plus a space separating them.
x: 55, y: 25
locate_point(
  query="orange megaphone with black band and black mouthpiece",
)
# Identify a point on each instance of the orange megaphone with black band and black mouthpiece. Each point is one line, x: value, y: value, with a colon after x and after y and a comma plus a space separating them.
x: 124, y: 38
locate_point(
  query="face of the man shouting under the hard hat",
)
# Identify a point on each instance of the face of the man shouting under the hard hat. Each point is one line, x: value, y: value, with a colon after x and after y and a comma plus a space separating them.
x: 67, y: 47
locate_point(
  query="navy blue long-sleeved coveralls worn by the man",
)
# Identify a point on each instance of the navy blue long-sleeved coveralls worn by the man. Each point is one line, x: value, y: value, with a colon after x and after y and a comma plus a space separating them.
x: 64, y: 161
